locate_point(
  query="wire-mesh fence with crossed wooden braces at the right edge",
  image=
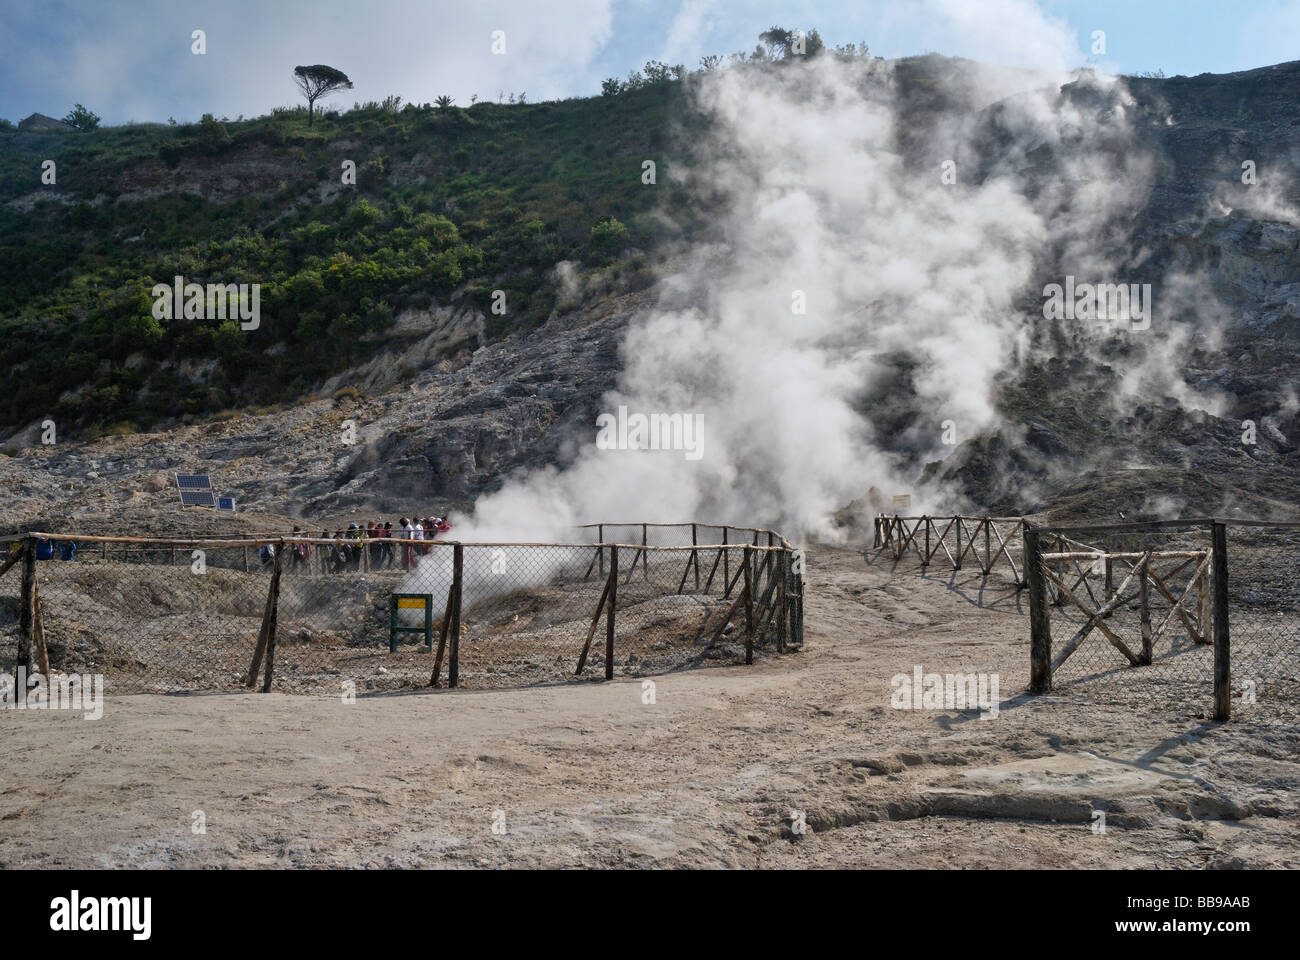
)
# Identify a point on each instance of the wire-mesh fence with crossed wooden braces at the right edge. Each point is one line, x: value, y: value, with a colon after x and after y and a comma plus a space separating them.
x: 1147, y: 611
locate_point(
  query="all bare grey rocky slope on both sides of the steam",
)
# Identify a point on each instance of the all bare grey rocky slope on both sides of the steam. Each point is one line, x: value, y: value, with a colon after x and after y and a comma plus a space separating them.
x: 443, y: 416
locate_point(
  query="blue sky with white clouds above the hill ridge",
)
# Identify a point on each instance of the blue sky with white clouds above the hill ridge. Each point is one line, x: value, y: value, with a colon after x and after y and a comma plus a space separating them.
x: 132, y: 60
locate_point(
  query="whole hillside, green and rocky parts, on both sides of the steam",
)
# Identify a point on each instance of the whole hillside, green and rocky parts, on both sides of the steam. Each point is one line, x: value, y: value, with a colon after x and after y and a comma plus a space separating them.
x: 378, y: 299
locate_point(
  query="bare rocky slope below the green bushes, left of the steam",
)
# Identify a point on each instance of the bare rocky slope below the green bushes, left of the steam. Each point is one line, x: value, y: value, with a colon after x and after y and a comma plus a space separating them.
x: 432, y: 430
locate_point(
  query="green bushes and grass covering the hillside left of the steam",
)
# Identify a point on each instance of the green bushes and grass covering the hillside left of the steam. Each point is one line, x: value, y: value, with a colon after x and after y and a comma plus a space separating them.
x: 448, y: 204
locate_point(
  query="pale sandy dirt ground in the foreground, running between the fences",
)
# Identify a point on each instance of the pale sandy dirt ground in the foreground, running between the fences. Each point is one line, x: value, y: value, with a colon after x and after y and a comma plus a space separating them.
x: 713, y: 773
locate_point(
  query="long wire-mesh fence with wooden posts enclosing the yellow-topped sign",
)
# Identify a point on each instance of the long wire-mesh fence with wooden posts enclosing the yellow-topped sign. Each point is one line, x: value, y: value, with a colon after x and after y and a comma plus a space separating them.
x: 323, y: 616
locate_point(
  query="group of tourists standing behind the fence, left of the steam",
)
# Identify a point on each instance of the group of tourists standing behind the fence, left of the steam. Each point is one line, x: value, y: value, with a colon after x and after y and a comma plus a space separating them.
x: 349, y: 548
